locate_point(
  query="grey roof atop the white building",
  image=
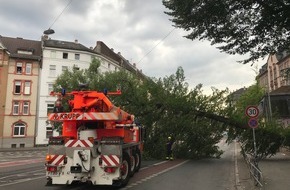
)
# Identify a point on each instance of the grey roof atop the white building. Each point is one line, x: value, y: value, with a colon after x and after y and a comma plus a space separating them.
x: 66, y: 45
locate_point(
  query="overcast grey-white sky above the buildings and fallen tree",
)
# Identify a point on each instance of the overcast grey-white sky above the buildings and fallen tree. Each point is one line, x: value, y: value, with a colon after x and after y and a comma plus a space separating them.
x: 139, y: 29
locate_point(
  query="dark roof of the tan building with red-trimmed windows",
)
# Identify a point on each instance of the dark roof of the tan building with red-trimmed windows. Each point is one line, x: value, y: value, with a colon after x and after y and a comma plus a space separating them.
x: 15, y: 45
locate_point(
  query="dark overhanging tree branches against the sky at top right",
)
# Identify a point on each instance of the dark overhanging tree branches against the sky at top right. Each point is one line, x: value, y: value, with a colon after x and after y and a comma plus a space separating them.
x: 239, y: 27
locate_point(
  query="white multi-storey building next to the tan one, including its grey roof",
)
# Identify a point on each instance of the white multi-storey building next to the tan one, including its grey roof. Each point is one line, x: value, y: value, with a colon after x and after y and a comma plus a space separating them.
x: 57, y: 57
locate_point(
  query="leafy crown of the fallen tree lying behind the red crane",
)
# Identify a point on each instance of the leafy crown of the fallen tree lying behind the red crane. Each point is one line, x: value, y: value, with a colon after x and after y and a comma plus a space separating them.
x: 165, y: 106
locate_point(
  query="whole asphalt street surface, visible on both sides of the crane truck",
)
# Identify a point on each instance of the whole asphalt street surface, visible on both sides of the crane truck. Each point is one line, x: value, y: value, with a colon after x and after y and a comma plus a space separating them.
x: 19, y: 172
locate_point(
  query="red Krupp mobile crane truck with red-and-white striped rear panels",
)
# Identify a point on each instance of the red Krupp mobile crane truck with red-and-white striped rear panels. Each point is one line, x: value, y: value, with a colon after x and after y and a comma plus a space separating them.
x: 100, y: 143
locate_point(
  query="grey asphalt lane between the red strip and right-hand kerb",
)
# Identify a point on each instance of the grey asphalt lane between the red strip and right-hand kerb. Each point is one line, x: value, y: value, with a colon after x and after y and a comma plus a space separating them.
x: 207, y: 174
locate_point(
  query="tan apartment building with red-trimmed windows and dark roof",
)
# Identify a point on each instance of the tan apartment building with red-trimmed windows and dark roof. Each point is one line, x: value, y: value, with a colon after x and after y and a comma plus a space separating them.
x: 20, y: 63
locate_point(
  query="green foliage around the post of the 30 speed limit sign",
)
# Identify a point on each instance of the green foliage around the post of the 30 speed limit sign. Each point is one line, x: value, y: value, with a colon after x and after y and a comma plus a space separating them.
x: 270, y: 135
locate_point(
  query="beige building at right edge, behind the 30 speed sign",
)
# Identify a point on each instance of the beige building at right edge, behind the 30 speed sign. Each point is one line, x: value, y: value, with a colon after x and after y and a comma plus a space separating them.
x: 274, y: 76
